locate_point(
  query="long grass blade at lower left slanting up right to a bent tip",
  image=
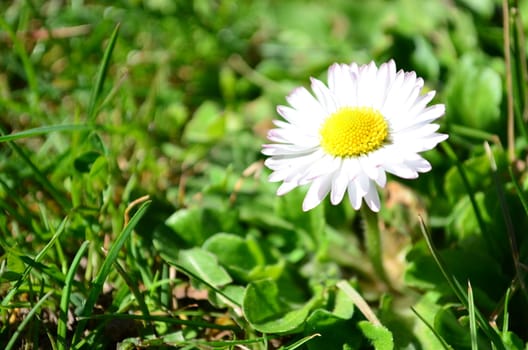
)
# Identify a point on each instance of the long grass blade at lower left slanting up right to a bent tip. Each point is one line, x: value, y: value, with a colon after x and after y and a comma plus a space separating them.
x: 106, y: 268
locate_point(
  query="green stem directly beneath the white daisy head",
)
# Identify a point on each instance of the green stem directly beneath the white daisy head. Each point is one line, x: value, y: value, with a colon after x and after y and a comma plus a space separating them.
x: 373, y: 242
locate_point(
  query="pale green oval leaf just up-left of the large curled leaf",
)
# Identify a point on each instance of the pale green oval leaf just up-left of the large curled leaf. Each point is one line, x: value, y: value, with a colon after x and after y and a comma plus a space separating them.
x: 204, y: 265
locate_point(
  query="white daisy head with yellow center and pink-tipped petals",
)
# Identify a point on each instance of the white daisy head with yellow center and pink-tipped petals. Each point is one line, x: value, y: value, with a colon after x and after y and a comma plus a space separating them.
x: 367, y: 122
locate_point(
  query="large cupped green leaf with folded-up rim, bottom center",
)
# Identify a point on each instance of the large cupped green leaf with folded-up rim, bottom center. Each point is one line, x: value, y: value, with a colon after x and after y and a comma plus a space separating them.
x: 267, y: 312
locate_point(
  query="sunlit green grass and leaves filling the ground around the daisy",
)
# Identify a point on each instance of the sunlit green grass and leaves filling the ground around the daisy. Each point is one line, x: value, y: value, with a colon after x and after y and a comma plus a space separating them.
x: 135, y: 210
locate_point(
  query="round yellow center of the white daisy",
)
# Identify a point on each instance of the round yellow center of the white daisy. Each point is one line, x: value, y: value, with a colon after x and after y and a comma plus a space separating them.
x: 354, y: 131
